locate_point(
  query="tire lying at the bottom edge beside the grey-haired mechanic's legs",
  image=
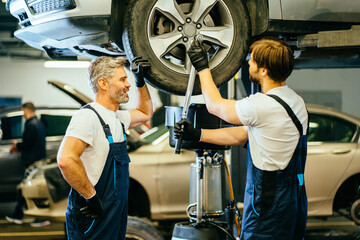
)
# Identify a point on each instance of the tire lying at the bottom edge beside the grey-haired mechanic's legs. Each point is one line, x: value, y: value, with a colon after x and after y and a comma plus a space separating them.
x: 138, y: 229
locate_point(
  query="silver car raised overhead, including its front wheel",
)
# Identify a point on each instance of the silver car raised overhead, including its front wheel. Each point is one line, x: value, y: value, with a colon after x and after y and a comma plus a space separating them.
x: 161, y: 30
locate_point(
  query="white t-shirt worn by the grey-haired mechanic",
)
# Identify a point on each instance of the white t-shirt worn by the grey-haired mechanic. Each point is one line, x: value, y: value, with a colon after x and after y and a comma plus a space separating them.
x: 85, y: 125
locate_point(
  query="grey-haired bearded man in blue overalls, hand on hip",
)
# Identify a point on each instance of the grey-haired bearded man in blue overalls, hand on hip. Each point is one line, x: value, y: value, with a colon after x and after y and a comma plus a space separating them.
x: 93, y: 155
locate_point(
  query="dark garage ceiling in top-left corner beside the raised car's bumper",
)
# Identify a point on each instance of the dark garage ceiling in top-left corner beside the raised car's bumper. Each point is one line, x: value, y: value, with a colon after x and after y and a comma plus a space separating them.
x: 10, y: 46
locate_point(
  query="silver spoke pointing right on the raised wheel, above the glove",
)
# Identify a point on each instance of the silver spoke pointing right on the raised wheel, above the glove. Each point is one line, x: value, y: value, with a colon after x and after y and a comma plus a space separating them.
x: 222, y: 36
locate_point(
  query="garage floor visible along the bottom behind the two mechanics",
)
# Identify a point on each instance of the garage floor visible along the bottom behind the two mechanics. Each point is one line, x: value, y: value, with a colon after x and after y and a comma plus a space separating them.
x: 336, y: 227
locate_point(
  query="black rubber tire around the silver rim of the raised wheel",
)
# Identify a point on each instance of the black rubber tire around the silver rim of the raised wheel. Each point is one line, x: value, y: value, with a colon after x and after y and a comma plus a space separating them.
x: 136, y: 43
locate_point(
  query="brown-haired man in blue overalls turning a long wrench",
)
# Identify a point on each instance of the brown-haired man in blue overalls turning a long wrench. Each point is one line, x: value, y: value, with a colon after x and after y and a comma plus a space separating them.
x: 275, y: 126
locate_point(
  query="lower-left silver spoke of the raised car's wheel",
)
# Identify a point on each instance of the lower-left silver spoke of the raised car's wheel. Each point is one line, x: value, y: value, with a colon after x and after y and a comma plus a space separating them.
x: 162, y: 44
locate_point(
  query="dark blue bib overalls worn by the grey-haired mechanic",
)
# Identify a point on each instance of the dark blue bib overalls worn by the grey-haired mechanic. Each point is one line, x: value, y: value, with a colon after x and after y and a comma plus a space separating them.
x: 112, y: 189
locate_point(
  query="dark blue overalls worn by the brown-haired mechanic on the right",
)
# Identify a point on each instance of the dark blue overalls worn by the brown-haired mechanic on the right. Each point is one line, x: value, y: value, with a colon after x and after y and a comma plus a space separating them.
x: 275, y: 202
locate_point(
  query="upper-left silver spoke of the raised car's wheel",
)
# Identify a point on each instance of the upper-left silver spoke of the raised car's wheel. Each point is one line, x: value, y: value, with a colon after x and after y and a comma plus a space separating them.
x: 171, y: 10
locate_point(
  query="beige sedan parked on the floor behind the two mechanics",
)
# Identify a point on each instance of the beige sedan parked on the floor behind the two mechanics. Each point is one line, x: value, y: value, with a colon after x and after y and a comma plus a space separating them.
x: 159, y: 179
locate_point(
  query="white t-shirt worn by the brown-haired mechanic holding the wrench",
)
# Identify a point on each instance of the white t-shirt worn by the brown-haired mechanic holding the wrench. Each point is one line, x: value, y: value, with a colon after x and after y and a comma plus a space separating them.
x: 272, y: 134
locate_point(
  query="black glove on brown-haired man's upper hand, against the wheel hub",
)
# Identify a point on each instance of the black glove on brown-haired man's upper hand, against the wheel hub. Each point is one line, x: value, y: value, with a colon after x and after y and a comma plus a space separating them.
x: 198, y: 56
